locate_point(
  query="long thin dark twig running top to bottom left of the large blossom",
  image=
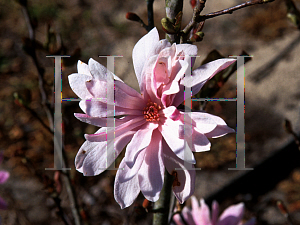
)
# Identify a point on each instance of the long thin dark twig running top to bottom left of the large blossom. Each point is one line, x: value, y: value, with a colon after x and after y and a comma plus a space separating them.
x: 49, y: 112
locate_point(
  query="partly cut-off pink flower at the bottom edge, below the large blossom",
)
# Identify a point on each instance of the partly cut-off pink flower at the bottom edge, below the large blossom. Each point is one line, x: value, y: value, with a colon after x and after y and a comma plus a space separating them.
x: 200, y: 215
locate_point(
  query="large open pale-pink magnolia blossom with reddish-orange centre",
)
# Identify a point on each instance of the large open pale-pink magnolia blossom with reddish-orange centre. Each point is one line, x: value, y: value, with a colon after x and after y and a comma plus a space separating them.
x: 148, y: 122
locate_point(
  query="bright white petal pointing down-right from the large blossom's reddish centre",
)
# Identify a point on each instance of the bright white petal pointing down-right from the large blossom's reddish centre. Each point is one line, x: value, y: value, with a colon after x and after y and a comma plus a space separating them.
x: 170, y: 131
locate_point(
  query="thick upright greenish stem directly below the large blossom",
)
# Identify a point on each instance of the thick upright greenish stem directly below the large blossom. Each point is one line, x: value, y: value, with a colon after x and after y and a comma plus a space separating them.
x: 161, y: 210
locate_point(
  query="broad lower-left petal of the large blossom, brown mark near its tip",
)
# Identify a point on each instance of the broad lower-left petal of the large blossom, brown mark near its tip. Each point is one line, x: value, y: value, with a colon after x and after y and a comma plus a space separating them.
x: 92, y: 158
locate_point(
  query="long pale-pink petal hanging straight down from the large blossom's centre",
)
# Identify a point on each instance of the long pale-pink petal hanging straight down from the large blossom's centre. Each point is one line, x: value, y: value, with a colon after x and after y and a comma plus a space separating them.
x: 151, y: 173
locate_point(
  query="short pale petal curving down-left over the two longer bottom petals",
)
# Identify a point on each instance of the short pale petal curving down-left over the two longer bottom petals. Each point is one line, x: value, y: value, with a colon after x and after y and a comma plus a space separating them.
x: 140, y: 141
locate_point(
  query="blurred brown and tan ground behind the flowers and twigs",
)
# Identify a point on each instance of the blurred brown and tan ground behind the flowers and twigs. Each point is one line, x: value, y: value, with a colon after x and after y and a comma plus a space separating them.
x: 88, y: 28
